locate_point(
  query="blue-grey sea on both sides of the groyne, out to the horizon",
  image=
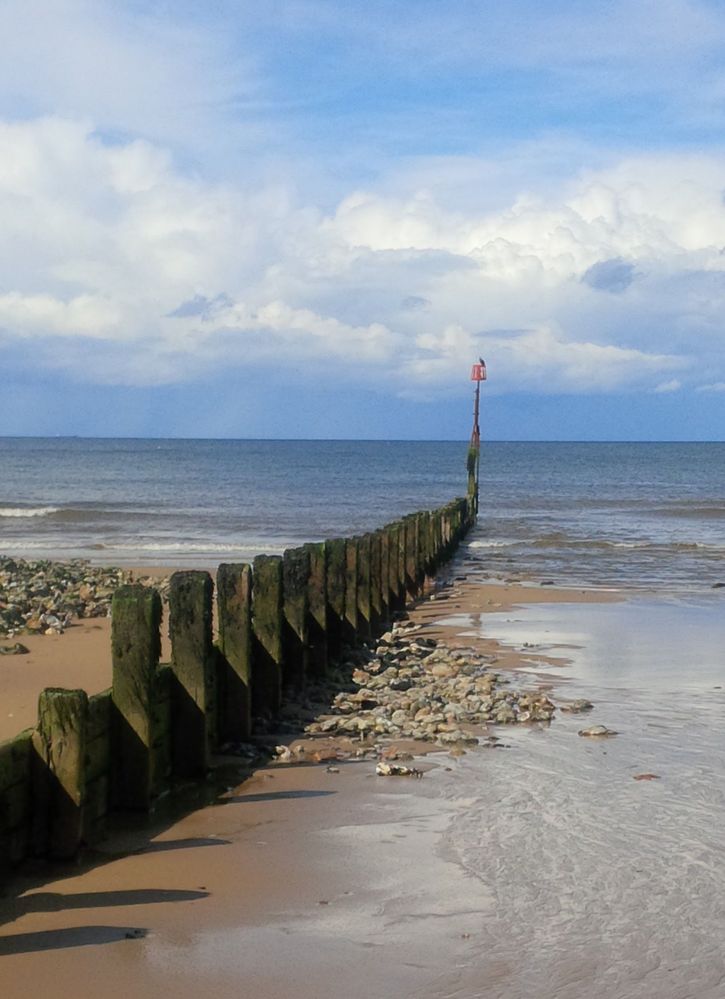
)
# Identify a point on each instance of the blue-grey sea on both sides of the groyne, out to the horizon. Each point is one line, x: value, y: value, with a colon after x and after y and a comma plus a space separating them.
x: 597, y: 513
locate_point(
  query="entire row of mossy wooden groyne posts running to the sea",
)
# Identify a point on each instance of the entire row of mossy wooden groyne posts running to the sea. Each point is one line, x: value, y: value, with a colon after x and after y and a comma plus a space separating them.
x: 280, y: 623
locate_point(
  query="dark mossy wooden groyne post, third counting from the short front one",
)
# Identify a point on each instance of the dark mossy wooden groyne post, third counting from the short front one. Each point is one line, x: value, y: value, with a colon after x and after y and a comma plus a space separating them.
x: 192, y: 662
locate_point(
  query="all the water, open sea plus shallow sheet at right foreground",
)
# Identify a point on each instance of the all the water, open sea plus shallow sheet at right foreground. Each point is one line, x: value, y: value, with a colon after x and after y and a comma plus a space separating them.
x: 580, y: 880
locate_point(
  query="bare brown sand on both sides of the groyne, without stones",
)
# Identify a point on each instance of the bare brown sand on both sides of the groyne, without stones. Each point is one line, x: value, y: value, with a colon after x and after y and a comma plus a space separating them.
x: 299, y: 882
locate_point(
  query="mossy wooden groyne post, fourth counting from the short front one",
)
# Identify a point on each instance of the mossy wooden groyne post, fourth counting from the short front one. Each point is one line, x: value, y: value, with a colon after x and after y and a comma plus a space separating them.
x: 234, y: 676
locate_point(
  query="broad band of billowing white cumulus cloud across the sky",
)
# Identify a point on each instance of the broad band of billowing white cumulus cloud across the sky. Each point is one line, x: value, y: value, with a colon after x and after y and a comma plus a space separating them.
x: 170, y: 275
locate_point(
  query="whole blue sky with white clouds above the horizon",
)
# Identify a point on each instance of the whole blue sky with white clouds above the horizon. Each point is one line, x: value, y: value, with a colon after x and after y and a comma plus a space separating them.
x: 307, y: 218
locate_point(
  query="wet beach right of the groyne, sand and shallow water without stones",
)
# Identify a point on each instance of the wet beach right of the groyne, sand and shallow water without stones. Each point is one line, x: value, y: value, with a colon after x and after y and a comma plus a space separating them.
x: 542, y: 868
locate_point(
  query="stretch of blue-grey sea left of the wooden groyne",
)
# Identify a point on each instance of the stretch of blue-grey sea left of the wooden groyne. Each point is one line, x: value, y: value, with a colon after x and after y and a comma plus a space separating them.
x: 201, y: 502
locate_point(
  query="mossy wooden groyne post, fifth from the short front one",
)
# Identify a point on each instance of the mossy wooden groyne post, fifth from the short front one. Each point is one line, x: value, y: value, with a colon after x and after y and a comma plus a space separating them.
x: 267, y: 654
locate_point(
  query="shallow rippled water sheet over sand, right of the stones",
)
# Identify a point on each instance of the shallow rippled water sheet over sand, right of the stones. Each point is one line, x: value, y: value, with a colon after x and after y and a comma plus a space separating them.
x: 605, y: 886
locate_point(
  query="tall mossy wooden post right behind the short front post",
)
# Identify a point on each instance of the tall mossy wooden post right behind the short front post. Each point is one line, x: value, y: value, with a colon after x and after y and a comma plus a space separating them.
x: 135, y: 650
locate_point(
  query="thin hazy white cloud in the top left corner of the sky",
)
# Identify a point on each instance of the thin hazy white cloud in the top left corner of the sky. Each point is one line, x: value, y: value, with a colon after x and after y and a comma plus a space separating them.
x: 125, y: 67
